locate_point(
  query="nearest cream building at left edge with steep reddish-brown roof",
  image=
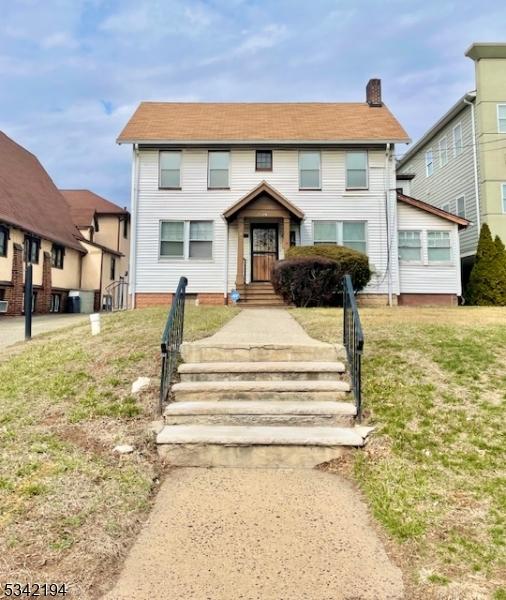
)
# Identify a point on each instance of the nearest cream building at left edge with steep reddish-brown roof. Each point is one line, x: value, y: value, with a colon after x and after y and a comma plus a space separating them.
x: 34, y: 224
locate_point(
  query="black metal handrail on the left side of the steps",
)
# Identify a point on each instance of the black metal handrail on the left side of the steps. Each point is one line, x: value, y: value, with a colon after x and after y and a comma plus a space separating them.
x: 171, y: 340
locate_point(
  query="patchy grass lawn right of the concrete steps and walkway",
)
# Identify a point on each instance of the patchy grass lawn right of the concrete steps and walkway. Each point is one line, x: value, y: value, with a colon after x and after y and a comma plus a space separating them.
x: 434, y: 473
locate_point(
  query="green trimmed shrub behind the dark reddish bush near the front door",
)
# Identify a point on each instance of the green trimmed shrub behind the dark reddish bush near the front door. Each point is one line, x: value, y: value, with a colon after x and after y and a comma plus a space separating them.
x: 350, y: 261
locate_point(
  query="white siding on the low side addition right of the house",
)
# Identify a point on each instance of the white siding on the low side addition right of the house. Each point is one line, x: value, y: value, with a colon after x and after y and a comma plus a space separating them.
x: 429, y: 278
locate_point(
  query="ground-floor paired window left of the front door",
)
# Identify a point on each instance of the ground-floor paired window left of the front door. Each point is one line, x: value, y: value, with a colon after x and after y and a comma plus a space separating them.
x: 186, y: 239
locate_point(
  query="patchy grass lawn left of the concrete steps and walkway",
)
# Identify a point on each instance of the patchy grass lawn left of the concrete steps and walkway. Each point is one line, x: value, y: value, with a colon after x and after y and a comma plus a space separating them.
x: 69, y: 506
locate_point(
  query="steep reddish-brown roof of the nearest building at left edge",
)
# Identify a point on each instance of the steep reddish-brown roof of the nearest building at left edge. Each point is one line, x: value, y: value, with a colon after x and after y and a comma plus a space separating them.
x: 30, y: 200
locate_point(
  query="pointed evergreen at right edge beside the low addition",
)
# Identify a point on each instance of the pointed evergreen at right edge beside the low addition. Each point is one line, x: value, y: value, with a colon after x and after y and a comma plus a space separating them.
x: 487, y: 283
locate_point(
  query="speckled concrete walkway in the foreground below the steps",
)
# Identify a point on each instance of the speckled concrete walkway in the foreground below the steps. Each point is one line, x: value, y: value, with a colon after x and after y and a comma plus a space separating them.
x: 257, y: 534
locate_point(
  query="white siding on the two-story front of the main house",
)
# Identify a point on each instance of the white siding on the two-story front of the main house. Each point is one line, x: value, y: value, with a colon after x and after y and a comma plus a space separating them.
x: 195, y: 202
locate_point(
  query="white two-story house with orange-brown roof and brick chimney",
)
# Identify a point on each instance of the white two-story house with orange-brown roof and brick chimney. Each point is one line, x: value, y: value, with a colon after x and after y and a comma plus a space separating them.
x: 221, y: 190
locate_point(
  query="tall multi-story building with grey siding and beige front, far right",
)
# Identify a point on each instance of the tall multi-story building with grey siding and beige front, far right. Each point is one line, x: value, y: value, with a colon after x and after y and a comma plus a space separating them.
x: 460, y: 163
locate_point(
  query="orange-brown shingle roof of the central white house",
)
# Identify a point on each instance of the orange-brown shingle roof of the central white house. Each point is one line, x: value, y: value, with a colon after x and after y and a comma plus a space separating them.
x: 262, y: 122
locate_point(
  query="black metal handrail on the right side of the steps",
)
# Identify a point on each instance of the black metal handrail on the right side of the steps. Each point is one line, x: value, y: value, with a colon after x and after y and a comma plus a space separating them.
x: 353, y: 340
